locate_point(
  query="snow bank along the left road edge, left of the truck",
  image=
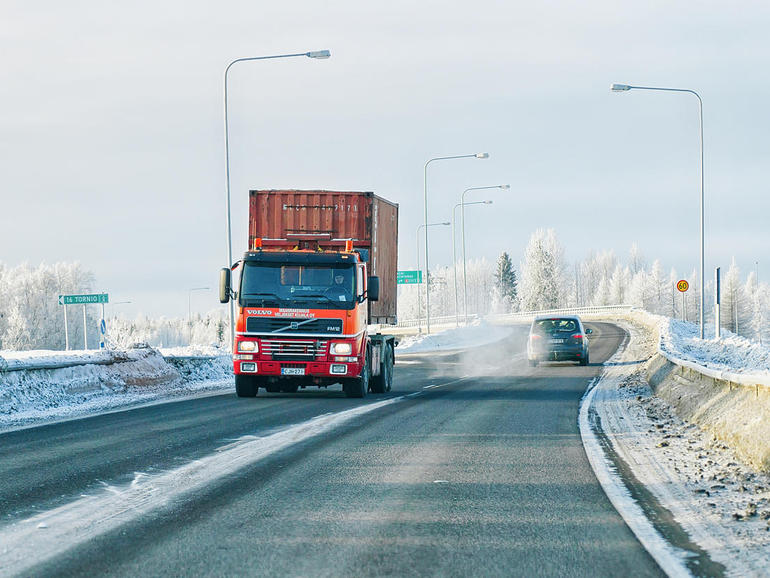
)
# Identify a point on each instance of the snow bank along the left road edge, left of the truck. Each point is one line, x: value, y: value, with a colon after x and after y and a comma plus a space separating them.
x: 42, y: 386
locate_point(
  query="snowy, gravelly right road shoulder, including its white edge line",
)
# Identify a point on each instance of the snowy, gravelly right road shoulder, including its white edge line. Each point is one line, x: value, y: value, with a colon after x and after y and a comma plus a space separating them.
x: 691, y: 488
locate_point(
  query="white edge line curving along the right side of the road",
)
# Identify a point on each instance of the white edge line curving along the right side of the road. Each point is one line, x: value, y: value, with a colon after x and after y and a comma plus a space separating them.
x: 667, y: 557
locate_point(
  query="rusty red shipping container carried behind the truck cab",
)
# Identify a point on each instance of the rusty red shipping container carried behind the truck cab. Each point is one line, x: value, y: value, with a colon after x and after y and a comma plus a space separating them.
x: 370, y: 221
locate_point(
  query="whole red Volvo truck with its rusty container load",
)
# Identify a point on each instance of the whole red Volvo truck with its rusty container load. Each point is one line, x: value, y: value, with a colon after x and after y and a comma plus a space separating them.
x: 319, y: 273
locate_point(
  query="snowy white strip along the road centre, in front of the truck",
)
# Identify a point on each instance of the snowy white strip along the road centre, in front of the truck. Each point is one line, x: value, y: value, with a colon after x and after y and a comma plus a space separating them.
x: 22, y: 544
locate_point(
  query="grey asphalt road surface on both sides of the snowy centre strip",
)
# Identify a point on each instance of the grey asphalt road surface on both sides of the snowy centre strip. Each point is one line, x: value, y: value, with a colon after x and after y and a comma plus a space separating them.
x: 481, y: 473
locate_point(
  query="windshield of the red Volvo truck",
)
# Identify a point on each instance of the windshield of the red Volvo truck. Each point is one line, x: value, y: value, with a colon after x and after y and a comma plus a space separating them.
x: 294, y: 285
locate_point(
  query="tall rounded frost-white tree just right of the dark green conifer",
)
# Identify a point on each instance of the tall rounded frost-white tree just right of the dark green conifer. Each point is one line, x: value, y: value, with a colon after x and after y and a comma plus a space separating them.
x: 543, y: 273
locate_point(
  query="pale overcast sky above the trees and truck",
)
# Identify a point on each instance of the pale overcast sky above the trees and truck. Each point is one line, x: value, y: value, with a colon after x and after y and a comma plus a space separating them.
x: 112, y: 147
